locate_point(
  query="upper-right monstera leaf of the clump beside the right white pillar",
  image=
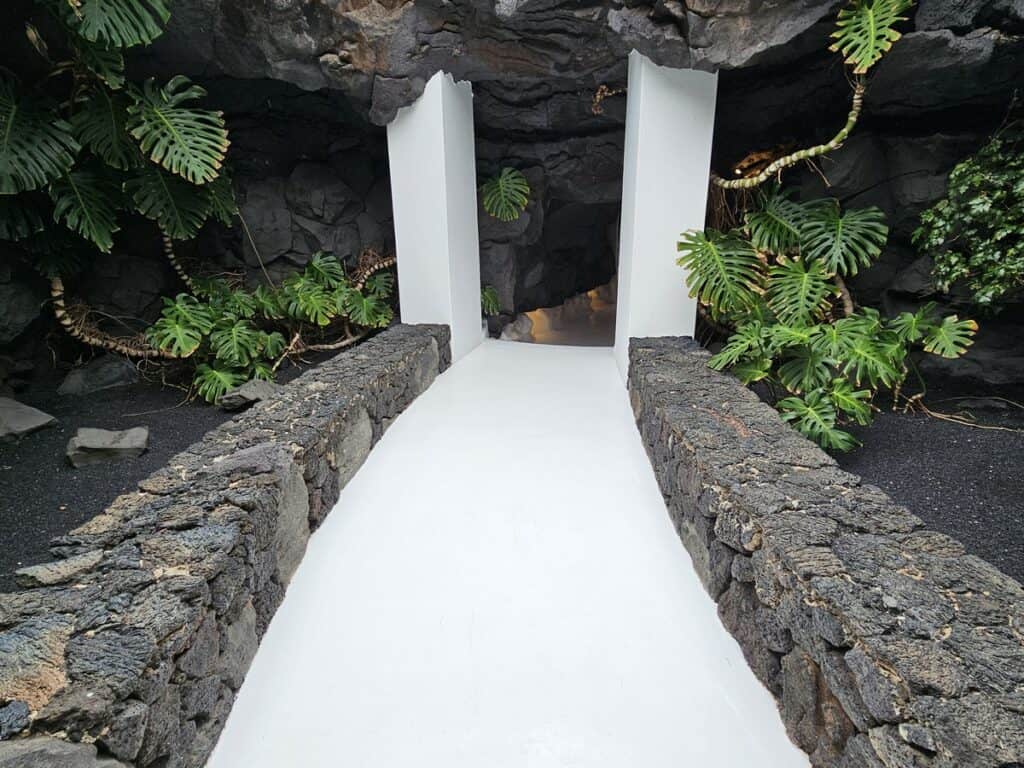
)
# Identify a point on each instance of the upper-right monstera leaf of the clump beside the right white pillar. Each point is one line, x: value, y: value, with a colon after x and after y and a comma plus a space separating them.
x: 844, y: 242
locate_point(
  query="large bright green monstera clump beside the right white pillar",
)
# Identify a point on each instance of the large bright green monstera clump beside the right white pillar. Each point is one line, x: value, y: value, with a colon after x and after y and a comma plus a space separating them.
x: 777, y: 283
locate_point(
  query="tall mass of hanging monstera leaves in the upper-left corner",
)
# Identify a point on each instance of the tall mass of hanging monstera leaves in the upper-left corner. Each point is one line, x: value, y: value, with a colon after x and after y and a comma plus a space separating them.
x: 111, y: 147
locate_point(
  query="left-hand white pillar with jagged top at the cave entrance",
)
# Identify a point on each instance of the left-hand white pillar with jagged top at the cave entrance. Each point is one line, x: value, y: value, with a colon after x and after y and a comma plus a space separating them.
x: 433, y: 156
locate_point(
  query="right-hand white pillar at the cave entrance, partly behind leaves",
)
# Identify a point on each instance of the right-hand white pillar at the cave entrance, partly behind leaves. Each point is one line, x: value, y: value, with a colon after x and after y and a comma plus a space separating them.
x: 670, y: 121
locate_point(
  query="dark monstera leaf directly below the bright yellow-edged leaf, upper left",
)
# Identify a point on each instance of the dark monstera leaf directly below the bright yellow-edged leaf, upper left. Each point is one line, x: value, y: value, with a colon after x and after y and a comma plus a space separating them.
x: 178, y: 207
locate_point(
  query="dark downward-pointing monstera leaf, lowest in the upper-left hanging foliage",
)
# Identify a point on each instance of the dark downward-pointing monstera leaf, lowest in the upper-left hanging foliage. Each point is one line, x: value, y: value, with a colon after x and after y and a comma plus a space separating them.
x: 87, y: 201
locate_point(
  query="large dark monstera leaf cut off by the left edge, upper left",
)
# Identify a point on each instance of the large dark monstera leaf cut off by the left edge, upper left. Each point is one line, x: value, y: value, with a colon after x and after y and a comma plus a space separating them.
x: 36, y: 147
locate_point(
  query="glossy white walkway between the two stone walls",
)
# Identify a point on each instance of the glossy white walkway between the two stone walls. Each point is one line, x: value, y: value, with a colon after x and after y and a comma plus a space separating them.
x: 500, y: 587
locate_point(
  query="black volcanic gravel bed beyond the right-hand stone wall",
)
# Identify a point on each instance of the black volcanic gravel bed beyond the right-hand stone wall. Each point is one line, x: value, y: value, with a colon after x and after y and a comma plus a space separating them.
x: 965, y: 482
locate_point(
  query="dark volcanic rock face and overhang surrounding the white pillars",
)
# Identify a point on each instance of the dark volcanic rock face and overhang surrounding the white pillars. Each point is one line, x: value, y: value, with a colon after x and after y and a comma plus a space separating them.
x: 310, y: 157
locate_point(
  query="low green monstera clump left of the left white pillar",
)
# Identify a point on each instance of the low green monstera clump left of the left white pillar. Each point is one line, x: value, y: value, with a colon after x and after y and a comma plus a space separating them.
x: 234, y: 335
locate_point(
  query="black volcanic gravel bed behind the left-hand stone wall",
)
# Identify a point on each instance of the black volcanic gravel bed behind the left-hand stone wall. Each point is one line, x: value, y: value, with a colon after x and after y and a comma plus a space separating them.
x: 42, y: 496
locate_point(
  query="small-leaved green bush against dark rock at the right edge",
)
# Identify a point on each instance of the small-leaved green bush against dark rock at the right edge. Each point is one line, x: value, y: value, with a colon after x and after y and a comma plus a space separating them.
x: 976, y: 234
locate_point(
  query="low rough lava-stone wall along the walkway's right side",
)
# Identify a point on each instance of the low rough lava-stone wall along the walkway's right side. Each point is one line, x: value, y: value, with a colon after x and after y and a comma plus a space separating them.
x: 885, y: 645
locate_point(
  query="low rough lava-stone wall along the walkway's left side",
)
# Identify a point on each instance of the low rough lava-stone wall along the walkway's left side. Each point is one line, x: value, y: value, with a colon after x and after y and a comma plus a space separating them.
x: 144, y: 631
